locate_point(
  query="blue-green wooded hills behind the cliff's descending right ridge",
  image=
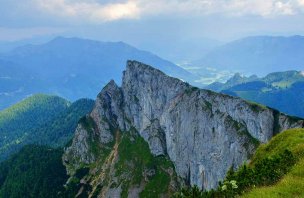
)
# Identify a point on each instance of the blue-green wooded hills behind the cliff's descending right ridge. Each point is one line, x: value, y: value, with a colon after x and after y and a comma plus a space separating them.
x: 277, y: 90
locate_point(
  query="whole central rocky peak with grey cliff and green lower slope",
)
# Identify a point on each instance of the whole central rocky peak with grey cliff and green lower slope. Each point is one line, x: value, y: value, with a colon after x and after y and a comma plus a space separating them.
x: 156, y: 133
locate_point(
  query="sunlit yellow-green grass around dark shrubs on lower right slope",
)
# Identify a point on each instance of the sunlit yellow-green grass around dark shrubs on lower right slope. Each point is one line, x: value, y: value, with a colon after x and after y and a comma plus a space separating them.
x: 292, y: 184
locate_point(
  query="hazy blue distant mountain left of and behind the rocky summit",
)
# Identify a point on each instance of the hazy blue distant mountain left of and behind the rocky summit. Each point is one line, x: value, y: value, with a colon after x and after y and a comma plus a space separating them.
x: 71, y: 68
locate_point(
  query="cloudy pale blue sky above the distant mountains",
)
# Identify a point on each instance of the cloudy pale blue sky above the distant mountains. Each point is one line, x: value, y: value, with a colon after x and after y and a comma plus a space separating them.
x: 150, y: 24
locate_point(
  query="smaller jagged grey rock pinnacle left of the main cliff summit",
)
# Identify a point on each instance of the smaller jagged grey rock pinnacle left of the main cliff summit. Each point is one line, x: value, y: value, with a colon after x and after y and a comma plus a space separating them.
x: 106, y: 116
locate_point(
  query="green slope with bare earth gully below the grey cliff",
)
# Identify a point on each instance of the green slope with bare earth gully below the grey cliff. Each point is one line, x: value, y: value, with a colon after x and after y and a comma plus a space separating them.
x: 127, y: 165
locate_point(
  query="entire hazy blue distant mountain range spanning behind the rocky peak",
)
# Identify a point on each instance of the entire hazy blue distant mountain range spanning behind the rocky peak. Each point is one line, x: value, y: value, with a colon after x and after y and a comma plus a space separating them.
x: 75, y: 68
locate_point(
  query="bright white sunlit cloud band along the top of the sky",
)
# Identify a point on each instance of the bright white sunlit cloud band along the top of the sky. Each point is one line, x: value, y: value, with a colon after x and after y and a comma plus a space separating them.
x: 94, y: 11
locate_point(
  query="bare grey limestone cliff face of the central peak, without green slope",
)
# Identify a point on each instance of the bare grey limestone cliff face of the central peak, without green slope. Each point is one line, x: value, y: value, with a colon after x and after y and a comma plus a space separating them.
x: 202, y: 132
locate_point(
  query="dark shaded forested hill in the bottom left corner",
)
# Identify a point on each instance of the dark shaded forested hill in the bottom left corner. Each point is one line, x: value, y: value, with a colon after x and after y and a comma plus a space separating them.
x: 35, y: 171
